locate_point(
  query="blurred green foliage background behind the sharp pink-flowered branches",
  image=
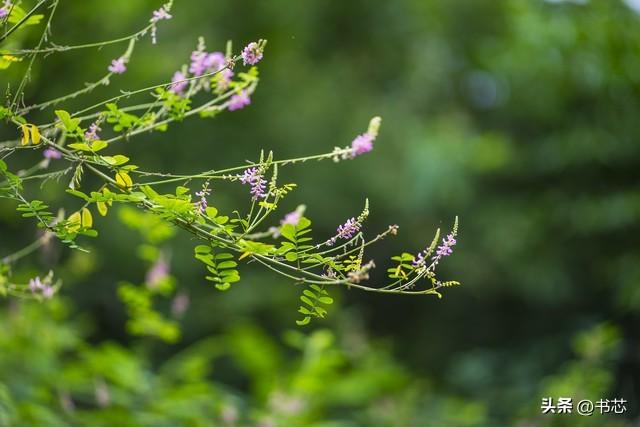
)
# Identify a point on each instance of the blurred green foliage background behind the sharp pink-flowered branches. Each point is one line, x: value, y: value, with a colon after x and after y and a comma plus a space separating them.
x: 519, y: 116
